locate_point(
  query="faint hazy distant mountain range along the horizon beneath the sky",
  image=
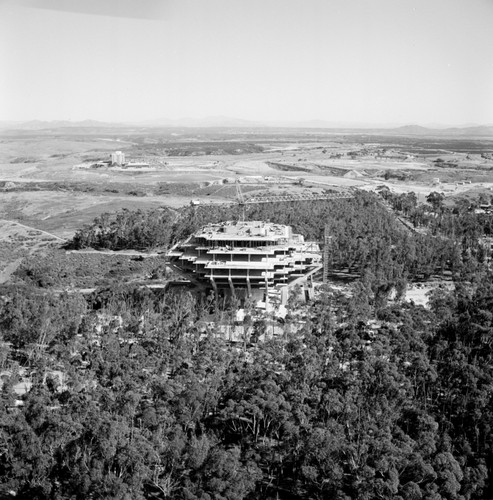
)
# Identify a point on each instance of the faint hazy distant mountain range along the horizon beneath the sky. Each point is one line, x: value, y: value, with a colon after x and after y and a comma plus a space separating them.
x: 226, y: 122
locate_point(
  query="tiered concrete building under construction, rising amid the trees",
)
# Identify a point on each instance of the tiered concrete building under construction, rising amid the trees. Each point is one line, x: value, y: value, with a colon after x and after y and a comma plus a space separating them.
x: 255, y: 259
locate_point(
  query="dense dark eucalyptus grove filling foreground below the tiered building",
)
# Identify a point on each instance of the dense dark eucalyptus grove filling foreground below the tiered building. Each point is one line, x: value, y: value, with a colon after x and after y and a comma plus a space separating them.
x: 134, y: 400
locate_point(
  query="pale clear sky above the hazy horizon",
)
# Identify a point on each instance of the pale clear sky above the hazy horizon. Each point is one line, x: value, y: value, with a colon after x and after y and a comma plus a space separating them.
x: 373, y: 62
